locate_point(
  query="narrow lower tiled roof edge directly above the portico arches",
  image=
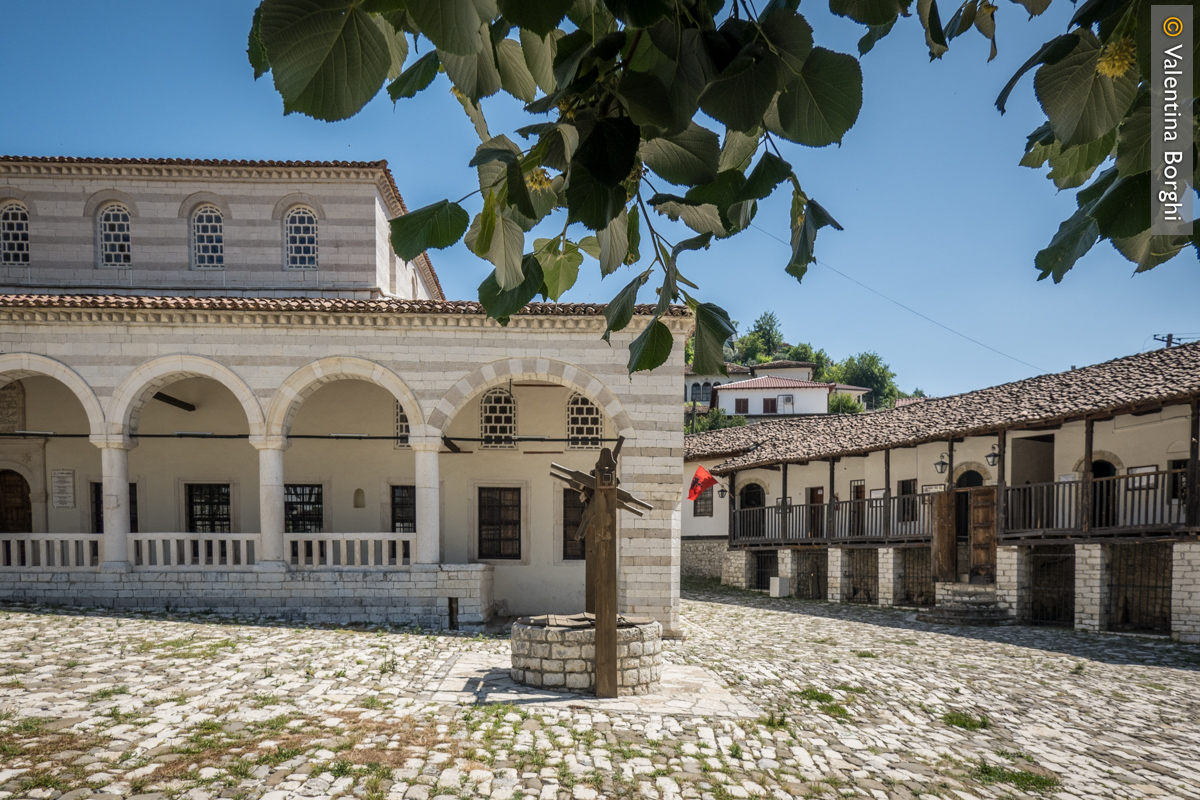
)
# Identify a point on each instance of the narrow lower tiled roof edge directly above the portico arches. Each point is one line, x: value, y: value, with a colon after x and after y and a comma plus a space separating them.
x: 320, y: 305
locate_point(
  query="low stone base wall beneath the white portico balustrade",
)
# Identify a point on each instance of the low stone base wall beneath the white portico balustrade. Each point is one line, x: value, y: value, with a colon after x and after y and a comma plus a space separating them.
x: 417, y: 596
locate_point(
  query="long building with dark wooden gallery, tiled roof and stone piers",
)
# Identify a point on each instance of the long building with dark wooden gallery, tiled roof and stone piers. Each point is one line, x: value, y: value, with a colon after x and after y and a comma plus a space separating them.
x: 1066, y: 500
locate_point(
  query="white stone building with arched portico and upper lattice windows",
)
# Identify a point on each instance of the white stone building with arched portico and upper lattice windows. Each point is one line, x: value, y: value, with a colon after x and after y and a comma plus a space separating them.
x: 224, y: 369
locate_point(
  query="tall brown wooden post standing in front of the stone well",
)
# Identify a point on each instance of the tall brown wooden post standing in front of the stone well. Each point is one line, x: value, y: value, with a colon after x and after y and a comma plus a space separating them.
x: 604, y: 524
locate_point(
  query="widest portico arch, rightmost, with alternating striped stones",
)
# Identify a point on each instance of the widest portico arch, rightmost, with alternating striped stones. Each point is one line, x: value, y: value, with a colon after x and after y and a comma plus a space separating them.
x: 549, y: 370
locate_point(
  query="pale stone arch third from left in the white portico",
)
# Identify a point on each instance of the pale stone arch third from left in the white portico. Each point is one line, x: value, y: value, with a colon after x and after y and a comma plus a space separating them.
x: 311, y: 377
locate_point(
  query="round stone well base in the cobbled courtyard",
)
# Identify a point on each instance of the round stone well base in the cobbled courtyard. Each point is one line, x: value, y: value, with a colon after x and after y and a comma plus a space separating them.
x: 563, y: 658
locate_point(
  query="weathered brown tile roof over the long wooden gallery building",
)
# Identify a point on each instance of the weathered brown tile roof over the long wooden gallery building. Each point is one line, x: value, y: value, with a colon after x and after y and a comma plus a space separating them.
x: 1166, y: 376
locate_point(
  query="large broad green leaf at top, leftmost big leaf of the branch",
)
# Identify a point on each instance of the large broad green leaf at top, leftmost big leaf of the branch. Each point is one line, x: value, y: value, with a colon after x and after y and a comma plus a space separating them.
x: 328, y: 59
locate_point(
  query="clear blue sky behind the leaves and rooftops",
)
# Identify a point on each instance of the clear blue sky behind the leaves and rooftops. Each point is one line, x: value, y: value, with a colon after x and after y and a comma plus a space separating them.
x: 938, y: 214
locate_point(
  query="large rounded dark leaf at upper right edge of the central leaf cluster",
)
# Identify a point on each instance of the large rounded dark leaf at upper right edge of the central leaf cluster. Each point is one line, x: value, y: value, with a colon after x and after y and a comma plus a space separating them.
x: 824, y: 103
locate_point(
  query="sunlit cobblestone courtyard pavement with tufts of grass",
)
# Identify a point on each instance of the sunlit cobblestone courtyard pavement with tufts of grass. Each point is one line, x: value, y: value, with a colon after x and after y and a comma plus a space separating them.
x: 857, y: 702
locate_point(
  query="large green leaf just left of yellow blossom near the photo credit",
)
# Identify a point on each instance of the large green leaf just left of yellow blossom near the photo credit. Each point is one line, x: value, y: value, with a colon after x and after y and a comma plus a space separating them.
x: 1082, y: 104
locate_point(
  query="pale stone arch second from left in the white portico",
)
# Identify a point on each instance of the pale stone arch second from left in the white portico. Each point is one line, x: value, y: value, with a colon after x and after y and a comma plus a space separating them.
x: 125, y: 407
